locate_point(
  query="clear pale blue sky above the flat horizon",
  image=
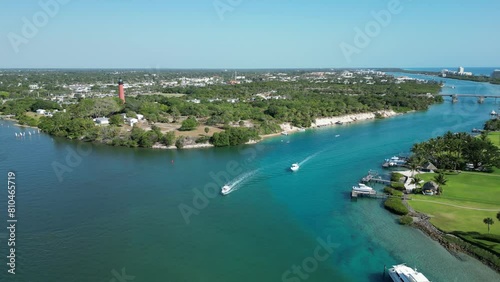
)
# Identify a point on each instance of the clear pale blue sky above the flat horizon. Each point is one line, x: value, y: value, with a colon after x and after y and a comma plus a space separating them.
x: 248, y: 34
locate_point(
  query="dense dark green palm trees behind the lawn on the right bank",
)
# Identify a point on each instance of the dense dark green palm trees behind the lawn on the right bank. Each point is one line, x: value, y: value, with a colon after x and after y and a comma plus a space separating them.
x: 455, y: 151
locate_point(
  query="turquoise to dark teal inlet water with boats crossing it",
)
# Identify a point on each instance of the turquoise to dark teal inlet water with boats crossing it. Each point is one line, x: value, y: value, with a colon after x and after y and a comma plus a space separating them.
x: 119, y: 208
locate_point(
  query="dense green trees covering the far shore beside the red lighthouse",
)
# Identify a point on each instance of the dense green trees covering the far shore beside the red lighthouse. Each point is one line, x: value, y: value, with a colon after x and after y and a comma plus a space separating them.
x: 223, y: 106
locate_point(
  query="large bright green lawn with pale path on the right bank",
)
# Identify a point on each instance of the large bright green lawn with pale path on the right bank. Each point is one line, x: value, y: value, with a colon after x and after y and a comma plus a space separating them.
x: 456, y: 210
